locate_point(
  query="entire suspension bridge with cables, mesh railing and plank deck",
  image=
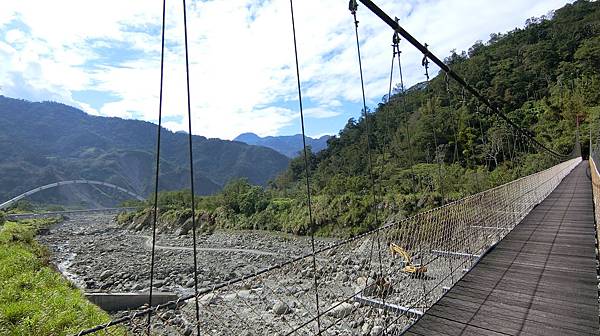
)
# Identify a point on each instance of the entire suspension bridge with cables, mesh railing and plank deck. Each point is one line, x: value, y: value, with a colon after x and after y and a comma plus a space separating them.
x: 517, y: 259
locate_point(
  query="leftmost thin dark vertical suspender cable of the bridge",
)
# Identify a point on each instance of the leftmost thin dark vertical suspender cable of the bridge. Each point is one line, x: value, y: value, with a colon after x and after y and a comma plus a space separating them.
x: 158, y: 131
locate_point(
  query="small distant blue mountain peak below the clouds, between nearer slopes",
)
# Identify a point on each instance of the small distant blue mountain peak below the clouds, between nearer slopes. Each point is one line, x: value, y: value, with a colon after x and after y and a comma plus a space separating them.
x: 288, y: 145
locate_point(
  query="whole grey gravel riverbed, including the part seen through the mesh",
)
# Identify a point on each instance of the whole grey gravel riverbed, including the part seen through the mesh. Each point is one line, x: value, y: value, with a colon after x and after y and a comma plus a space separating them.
x: 99, y: 256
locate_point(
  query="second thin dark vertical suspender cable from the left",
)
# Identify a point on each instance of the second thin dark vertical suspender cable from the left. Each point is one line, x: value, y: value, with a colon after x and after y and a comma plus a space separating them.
x: 190, y: 147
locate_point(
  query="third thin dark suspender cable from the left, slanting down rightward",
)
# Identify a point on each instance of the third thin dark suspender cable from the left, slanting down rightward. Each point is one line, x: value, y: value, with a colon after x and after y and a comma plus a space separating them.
x: 307, y: 170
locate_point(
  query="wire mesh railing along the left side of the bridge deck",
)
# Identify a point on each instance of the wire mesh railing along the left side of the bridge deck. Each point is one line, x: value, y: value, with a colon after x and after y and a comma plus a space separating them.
x: 362, y: 285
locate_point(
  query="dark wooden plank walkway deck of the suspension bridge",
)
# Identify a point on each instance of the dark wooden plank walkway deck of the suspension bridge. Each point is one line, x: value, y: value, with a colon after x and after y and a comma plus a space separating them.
x: 539, y: 280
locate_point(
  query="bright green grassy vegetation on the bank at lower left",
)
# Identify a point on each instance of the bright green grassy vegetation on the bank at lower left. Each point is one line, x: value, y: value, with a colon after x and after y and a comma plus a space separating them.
x: 34, y: 298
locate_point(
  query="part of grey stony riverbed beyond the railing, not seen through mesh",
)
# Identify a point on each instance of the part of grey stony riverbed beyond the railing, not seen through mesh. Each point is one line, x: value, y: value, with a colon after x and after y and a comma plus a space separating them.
x: 98, y: 255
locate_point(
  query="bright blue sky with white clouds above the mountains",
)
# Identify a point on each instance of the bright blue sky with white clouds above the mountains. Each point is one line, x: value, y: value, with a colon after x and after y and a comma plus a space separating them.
x: 104, y: 57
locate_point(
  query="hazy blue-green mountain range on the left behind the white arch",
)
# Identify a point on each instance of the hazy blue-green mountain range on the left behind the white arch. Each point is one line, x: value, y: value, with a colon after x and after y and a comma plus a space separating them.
x: 48, y: 142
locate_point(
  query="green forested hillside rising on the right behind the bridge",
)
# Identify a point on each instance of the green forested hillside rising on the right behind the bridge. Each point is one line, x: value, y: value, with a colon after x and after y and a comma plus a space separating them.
x: 436, y: 143
